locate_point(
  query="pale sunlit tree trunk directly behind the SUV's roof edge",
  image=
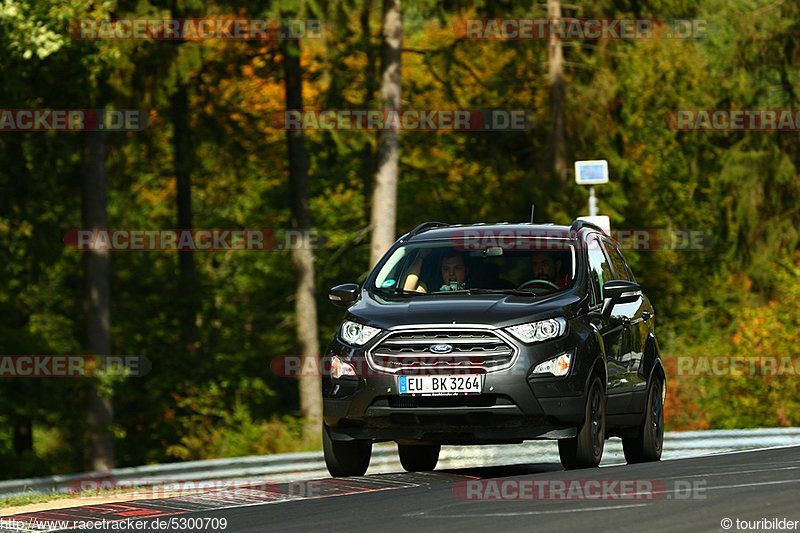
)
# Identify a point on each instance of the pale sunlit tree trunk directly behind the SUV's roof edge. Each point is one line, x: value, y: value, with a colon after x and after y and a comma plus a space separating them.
x: 384, y: 197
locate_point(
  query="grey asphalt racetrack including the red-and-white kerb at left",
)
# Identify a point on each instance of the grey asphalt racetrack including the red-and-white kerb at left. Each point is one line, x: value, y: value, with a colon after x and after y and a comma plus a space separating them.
x: 707, y: 493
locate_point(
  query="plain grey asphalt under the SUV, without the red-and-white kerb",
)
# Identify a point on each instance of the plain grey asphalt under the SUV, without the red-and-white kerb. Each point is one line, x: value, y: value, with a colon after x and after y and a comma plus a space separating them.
x: 749, y: 486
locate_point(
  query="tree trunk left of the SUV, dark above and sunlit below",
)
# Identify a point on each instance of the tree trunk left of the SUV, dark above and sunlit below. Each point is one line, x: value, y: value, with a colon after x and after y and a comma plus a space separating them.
x: 305, y: 304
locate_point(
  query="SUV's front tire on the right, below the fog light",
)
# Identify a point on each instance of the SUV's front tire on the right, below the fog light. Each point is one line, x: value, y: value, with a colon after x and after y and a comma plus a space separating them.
x: 586, y: 449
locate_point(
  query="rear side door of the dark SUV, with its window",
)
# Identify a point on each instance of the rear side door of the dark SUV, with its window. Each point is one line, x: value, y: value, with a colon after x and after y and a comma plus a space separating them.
x: 633, y: 316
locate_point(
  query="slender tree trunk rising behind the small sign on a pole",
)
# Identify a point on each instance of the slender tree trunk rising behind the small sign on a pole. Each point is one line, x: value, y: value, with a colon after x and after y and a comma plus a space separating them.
x: 555, y: 59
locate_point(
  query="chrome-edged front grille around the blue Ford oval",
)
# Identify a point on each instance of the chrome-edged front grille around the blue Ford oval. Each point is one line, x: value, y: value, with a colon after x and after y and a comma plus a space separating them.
x: 472, y: 351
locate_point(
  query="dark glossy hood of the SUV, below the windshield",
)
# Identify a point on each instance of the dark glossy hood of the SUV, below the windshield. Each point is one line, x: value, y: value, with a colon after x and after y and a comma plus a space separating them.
x: 497, y: 310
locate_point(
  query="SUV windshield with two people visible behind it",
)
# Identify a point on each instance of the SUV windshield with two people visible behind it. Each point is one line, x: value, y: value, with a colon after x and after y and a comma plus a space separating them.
x: 442, y: 266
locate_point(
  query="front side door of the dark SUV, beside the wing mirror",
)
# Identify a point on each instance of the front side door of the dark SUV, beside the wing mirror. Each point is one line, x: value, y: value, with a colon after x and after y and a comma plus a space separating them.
x: 611, y: 329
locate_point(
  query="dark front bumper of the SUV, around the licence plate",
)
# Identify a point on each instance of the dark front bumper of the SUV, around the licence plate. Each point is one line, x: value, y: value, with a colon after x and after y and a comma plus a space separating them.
x: 513, y: 406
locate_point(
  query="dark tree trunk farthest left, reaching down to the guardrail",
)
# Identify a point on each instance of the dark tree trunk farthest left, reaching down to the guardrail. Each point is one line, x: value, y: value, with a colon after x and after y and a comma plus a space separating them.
x: 98, y: 300
